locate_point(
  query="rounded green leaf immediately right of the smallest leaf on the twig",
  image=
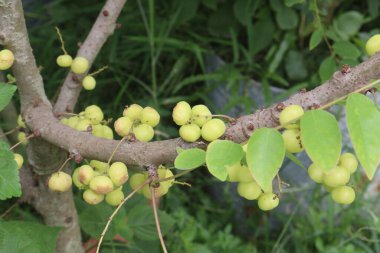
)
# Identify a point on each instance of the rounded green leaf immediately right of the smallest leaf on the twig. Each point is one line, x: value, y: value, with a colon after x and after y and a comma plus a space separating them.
x: 221, y: 153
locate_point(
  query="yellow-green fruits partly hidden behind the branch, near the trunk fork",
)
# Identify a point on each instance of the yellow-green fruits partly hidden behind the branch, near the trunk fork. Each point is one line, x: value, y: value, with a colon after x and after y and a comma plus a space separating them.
x: 90, y: 120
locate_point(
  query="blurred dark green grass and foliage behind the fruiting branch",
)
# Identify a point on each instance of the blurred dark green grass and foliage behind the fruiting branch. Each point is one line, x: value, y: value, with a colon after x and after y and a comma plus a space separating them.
x: 161, y: 55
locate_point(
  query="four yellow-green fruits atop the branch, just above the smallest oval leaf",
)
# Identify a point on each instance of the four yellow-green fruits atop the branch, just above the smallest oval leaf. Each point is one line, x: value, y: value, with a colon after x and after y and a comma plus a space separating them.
x: 197, y: 121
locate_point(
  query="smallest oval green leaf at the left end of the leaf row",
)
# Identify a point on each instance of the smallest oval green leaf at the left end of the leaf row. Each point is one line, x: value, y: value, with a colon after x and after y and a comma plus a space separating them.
x: 190, y: 159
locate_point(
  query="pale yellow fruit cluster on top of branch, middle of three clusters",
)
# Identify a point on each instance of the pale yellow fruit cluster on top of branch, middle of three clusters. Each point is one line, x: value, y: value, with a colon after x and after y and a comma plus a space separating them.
x: 137, y: 122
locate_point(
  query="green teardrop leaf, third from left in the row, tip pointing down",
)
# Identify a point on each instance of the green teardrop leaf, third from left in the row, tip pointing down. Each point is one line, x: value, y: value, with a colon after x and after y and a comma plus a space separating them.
x: 265, y: 154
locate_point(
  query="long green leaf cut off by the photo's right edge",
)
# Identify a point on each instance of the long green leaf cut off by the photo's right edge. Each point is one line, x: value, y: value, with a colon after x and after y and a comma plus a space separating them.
x: 363, y: 121
